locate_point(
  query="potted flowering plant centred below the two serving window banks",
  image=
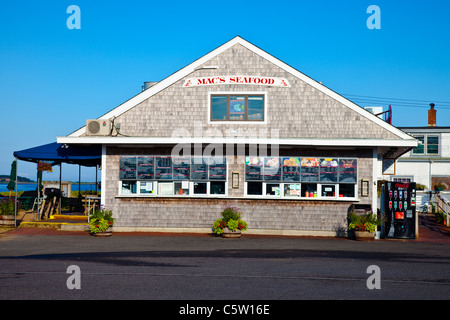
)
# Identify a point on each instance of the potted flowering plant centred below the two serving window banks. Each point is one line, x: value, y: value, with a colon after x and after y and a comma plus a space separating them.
x: 231, y: 224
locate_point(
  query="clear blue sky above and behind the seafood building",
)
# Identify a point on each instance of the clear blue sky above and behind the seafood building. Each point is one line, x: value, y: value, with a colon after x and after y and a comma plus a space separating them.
x: 52, y: 78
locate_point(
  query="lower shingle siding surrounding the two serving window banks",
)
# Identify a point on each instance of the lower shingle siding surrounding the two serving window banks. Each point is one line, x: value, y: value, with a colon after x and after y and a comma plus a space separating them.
x: 276, y: 214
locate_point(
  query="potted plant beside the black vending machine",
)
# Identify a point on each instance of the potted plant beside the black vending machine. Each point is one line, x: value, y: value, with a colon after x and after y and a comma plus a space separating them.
x: 362, y: 226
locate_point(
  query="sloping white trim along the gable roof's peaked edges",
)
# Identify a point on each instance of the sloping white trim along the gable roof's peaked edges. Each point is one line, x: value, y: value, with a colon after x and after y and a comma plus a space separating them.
x: 238, y: 40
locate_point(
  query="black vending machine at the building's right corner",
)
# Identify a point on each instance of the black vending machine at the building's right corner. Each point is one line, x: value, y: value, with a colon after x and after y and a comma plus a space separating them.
x: 400, y: 210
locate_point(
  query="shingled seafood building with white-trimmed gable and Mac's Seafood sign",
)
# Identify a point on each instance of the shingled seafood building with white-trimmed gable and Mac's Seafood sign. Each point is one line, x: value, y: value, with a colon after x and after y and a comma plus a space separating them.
x: 239, y: 127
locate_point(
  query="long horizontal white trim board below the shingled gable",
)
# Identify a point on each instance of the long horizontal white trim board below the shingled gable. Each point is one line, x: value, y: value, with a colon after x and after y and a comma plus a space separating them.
x: 238, y: 140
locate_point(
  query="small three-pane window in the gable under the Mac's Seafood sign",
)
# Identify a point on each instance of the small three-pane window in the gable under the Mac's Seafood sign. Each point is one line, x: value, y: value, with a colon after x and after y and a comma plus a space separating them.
x: 237, y: 107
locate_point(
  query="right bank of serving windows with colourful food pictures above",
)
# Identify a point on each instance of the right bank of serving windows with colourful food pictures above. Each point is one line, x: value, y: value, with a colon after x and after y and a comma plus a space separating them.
x: 298, y: 177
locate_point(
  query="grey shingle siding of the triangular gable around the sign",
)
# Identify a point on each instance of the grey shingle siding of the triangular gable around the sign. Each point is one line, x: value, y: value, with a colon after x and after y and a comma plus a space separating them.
x: 300, y: 111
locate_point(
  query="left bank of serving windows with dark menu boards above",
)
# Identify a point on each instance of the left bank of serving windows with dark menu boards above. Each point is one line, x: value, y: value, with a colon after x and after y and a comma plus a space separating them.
x: 172, y: 176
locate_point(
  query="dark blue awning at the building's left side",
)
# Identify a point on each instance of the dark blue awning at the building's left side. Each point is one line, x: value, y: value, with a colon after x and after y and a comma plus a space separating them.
x: 85, y: 155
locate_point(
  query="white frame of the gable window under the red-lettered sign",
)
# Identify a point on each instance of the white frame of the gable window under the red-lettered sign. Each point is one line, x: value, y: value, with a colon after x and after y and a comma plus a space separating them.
x: 237, y: 93
